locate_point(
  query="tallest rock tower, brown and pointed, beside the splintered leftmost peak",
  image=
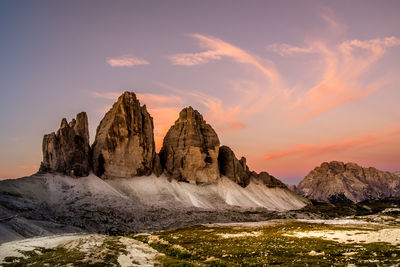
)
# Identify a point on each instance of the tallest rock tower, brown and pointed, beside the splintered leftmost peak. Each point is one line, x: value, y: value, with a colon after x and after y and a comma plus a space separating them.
x: 124, y: 145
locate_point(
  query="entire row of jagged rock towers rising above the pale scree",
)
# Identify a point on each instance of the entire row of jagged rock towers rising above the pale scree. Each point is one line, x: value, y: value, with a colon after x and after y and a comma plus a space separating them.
x: 124, y: 148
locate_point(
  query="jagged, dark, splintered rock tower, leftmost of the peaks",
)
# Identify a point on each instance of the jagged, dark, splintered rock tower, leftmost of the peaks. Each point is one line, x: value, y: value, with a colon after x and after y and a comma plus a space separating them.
x: 68, y: 151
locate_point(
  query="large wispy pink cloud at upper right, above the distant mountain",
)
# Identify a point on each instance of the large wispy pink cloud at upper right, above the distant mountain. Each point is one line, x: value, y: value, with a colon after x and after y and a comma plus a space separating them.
x: 342, y: 75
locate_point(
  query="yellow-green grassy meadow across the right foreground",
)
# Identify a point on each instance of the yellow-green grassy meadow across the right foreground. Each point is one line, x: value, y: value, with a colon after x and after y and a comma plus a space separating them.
x: 206, y: 246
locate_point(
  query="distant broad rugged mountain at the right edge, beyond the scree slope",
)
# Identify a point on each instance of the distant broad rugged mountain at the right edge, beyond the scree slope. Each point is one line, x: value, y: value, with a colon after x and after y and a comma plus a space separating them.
x: 339, y: 182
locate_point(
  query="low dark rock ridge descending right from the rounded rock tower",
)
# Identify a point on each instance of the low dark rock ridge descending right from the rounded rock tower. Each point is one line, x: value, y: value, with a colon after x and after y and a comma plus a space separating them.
x: 239, y: 172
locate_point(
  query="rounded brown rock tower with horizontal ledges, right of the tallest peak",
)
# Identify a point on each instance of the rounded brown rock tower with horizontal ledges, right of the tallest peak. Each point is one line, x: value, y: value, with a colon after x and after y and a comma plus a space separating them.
x: 190, y: 149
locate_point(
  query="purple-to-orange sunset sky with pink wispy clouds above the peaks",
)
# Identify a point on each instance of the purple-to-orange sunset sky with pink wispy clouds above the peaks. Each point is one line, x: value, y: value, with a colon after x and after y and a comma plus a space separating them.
x: 287, y: 84
